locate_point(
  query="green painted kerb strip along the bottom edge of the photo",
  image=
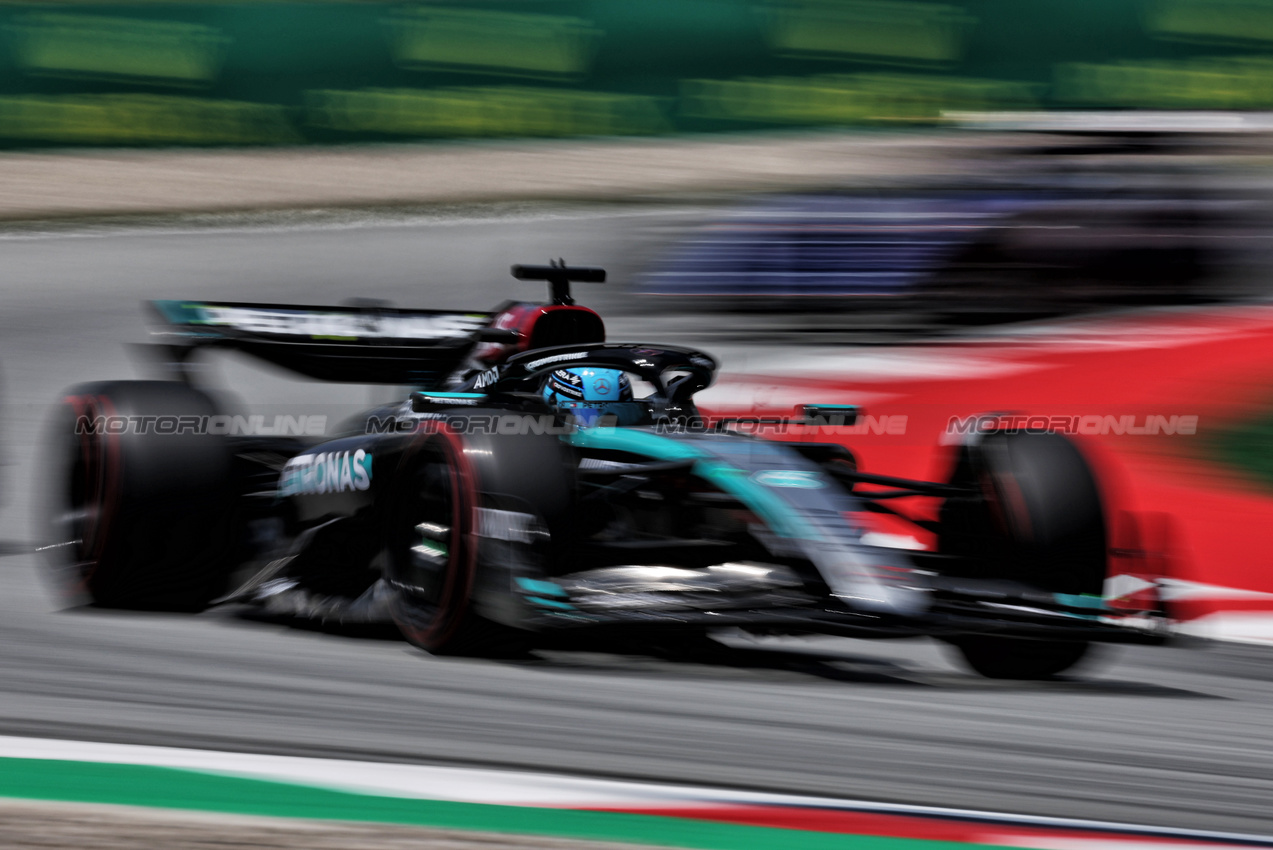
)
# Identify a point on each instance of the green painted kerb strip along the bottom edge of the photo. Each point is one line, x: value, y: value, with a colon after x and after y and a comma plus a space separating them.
x: 178, y: 790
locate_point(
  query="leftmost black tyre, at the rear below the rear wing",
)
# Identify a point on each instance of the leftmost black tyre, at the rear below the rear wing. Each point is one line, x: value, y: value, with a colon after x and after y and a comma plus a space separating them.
x: 141, y: 511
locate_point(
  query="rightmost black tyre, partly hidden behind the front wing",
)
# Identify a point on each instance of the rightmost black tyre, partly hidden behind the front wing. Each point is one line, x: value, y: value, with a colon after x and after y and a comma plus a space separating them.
x: 1037, y: 519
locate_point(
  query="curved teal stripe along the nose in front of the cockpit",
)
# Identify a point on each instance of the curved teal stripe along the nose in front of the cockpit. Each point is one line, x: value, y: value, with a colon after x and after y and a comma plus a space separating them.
x: 782, y: 519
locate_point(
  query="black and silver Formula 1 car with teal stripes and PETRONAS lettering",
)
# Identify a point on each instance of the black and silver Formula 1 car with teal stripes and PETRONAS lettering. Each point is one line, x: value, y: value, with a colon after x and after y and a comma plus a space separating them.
x: 543, y: 484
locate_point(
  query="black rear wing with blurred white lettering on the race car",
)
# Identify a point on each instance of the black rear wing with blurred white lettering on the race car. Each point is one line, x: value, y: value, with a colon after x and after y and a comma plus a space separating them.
x: 343, y: 344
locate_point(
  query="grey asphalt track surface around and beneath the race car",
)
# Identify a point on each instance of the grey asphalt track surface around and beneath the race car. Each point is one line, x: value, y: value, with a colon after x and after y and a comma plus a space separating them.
x: 1158, y: 736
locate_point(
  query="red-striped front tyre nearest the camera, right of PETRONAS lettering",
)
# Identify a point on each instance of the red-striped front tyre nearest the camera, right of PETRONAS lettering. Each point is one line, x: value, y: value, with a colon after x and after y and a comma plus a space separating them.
x: 433, y: 568
